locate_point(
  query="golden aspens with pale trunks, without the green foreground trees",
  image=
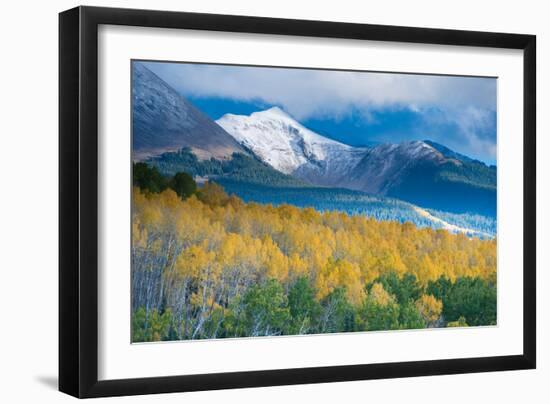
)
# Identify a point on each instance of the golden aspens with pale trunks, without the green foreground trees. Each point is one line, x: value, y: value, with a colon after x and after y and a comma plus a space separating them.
x: 199, y: 257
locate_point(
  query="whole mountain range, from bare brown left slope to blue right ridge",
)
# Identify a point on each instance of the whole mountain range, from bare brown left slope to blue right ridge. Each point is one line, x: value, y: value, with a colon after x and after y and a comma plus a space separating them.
x: 272, y: 148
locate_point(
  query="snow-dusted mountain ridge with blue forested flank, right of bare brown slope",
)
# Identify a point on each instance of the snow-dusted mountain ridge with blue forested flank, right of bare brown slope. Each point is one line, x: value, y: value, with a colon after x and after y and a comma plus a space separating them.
x: 418, y: 171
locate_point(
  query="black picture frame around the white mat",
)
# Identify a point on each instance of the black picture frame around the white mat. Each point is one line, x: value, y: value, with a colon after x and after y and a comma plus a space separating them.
x: 78, y: 201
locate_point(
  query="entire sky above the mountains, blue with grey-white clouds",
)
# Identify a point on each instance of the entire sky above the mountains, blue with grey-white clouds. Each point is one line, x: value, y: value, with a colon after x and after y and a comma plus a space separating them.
x: 357, y: 108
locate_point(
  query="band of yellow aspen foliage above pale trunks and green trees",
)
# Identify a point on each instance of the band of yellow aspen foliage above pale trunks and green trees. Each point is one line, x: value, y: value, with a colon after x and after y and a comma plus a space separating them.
x: 286, y: 241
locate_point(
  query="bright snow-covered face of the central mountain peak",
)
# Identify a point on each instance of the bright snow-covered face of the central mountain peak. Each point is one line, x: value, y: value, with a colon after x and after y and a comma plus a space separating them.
x: 282, y: 142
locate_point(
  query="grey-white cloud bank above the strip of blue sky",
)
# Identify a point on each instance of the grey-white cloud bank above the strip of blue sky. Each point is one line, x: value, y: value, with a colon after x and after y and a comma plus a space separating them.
x: 467, y: 103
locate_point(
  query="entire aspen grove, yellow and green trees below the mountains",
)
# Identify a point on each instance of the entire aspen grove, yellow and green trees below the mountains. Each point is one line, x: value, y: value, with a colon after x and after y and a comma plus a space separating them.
x: 208, y: 265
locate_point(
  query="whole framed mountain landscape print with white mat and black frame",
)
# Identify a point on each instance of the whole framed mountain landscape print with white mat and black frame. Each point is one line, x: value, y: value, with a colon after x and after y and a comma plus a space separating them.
x: 251, y: 201
